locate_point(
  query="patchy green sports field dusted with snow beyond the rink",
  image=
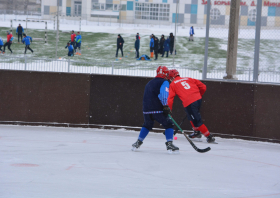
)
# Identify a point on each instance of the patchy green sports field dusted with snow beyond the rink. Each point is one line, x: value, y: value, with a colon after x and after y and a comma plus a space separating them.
x: 99, y: 44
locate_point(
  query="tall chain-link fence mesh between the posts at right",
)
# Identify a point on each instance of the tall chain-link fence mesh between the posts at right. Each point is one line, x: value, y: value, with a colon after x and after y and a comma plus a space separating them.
x: 269, y: 41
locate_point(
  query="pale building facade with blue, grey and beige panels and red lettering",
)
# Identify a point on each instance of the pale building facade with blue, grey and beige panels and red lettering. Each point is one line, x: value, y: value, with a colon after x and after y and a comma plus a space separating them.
x: 189, y: 12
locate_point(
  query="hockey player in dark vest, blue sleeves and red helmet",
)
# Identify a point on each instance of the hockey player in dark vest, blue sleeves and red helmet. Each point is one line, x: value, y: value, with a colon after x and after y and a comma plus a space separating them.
x: 155, y: 108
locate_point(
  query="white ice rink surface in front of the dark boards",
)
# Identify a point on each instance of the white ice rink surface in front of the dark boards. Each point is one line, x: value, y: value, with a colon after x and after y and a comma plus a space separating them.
x: 50, y: 162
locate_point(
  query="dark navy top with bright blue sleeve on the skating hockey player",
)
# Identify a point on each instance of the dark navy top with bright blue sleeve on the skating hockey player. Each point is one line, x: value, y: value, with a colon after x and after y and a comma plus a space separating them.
x: 155, y: 96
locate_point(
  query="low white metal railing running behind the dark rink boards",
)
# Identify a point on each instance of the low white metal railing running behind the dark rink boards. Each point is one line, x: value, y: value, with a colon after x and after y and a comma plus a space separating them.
x: 147, y: 69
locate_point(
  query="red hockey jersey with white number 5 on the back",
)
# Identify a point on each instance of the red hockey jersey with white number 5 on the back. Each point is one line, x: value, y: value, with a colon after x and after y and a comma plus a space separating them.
x: 188, y: 90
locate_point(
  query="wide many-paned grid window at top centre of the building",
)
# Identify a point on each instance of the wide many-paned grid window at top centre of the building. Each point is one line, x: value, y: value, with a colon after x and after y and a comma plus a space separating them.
x: 152, y: 11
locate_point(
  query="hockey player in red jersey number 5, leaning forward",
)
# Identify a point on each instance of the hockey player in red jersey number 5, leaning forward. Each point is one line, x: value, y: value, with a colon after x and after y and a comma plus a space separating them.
x: 190, y: 92
